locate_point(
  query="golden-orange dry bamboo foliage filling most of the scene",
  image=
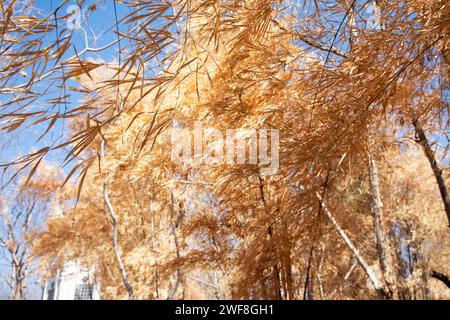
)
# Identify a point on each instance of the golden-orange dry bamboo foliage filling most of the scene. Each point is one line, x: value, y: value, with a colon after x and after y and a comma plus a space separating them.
x: 348, y: 101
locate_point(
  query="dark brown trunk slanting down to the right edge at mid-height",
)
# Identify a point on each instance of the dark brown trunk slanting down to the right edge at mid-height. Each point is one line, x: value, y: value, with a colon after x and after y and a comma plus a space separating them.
x: 437, y: 170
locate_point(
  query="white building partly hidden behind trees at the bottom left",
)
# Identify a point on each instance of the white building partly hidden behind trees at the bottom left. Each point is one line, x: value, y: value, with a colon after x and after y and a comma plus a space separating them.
x: 72, y: 283
